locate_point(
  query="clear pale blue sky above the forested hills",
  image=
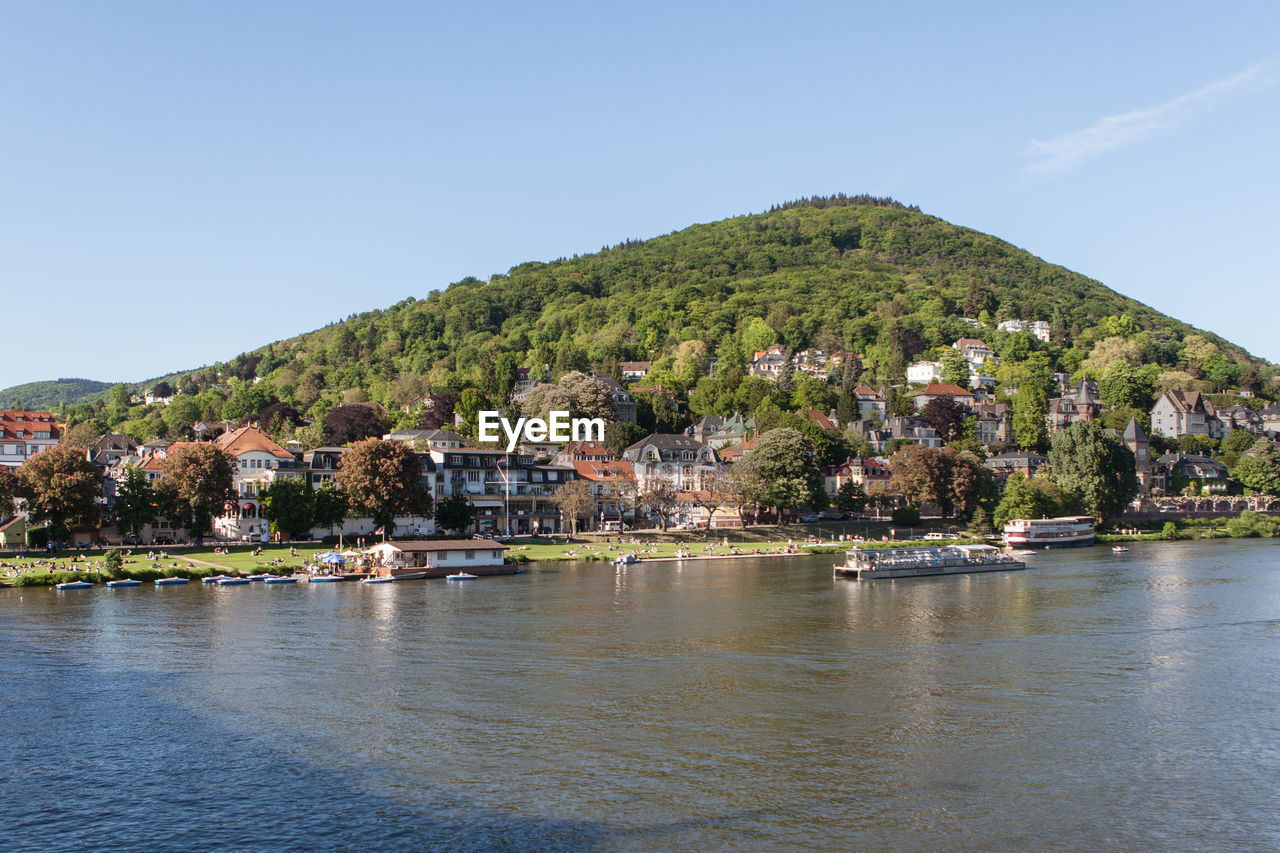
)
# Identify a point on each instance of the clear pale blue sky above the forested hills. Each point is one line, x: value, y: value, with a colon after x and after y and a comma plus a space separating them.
x: 182, y: 183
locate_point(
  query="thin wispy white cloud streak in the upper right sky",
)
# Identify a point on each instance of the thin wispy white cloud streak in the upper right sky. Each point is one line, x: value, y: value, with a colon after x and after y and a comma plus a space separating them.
x: 1117, y: 131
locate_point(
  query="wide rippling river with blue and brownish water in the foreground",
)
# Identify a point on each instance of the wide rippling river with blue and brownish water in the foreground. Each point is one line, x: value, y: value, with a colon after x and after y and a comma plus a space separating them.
x: 1096, y: 701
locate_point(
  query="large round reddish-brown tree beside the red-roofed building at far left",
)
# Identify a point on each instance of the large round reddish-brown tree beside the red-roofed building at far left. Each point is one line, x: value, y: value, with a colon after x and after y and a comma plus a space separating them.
x: 62, y: 487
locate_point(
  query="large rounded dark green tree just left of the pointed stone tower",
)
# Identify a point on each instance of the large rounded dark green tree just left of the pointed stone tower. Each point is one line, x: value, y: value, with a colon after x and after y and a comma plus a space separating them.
x: 1095, y: 471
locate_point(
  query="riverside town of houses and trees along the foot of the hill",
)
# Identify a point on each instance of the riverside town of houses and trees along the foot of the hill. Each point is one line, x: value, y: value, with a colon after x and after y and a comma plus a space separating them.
x: 976, y: 434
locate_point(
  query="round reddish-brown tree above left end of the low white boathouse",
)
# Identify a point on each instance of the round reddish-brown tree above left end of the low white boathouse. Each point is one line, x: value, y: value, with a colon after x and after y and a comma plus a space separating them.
x: 383, y: 480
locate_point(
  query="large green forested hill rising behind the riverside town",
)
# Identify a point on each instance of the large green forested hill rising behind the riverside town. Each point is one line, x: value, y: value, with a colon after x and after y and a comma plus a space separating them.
x: 842, y: 273
